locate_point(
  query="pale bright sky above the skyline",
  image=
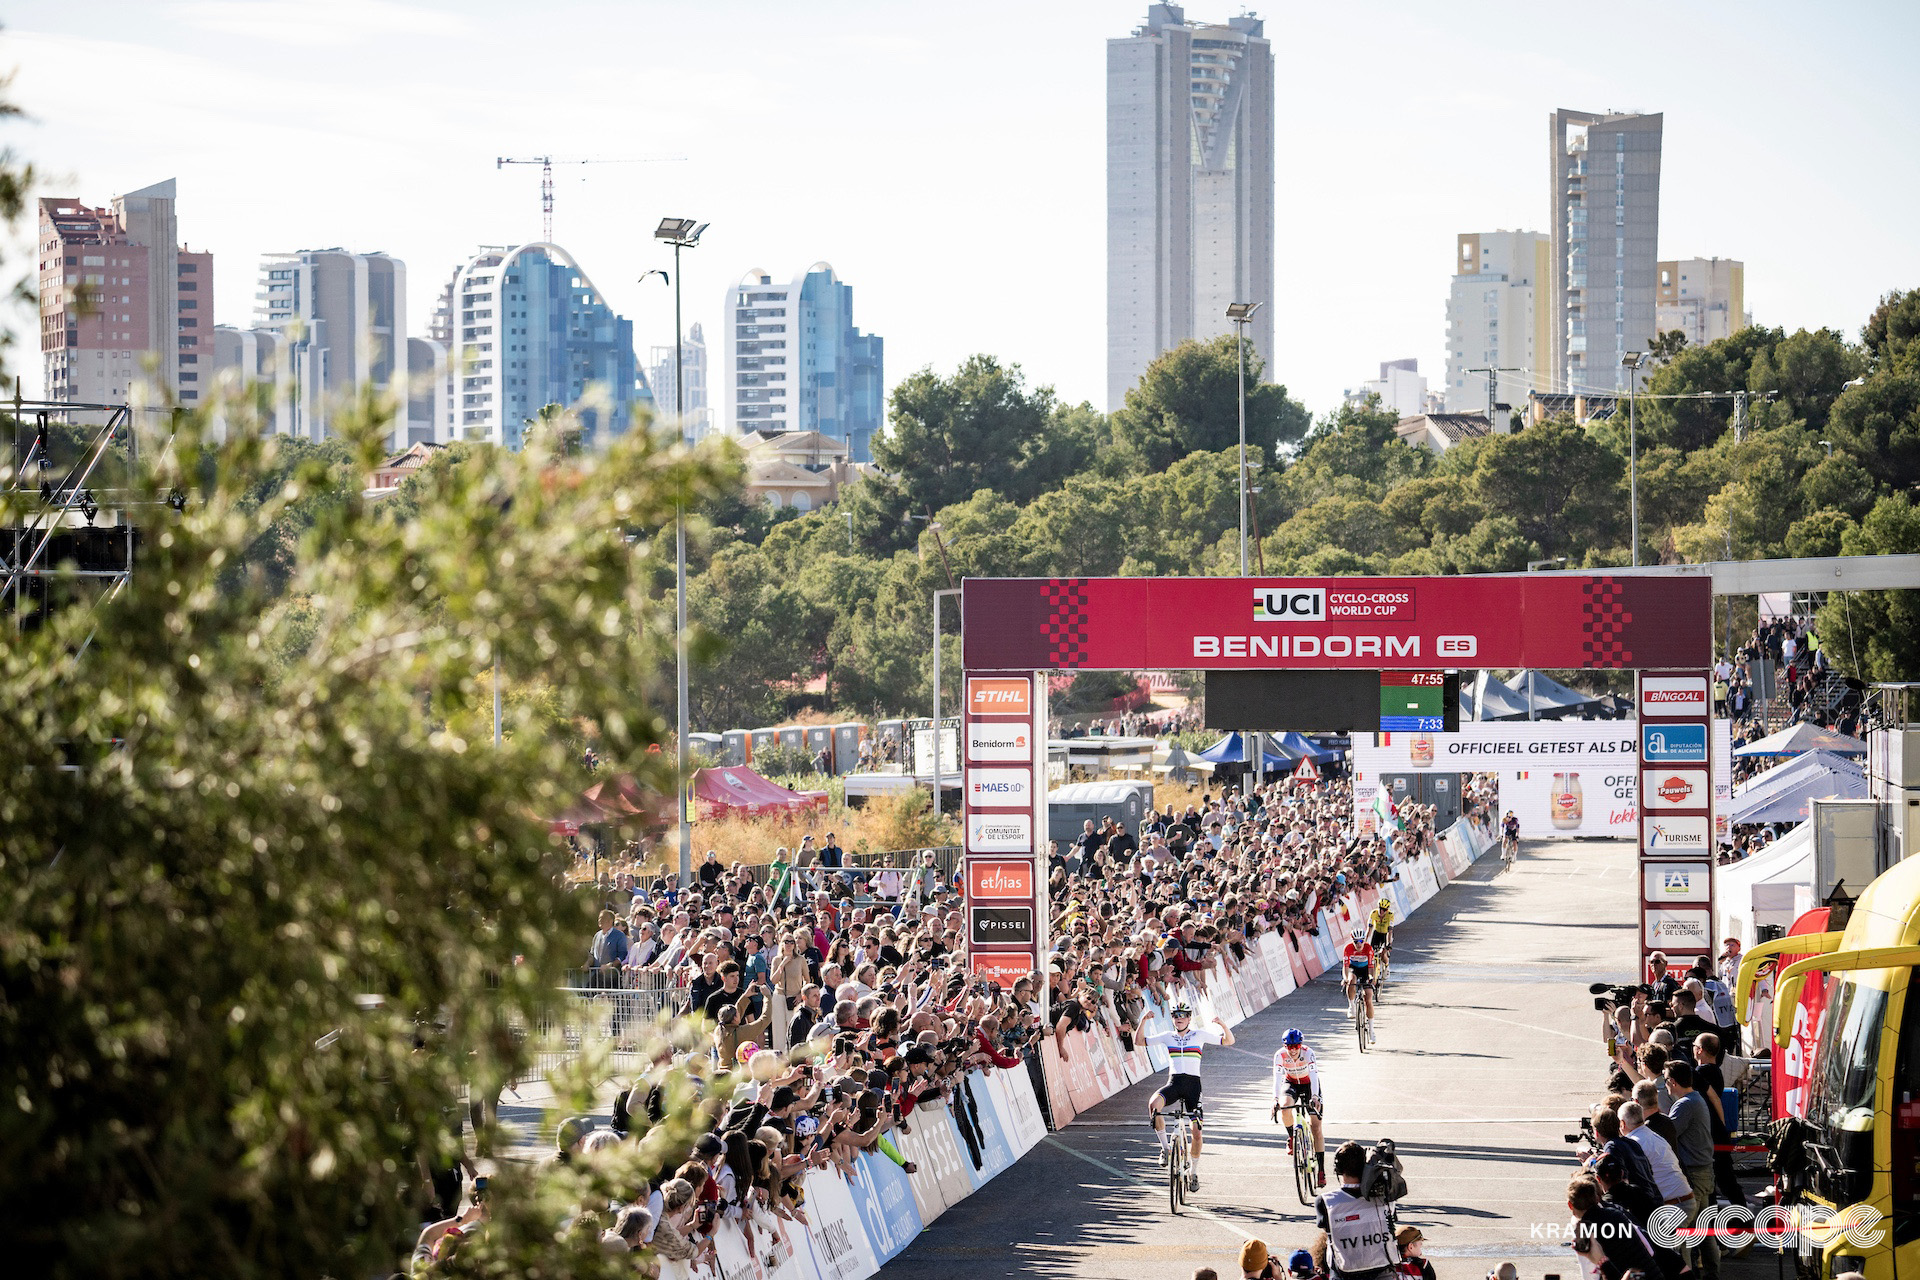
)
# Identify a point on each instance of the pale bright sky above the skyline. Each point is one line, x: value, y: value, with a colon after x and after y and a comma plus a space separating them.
x: 949, y: 158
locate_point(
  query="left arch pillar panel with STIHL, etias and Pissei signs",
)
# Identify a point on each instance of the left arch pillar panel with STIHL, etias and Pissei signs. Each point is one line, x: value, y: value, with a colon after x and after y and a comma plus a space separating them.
x: 1005, y: 822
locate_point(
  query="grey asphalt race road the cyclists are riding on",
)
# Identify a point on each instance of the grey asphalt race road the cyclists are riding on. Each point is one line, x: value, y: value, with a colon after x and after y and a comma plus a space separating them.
x: 1487, y: 1053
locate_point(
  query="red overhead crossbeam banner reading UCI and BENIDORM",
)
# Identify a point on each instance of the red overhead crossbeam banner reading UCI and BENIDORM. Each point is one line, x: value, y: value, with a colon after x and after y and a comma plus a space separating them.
x: 1541, y: 621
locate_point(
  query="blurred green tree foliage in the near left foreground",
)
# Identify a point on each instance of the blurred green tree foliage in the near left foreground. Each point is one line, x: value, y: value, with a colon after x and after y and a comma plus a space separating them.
x: 266, y: 903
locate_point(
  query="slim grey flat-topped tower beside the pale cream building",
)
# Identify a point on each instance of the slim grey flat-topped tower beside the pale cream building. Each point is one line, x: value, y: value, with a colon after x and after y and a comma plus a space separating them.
x: 1606, y: 199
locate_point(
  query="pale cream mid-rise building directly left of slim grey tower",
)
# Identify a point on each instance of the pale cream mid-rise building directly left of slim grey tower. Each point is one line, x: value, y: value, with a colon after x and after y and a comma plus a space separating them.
x: 1497, y: 318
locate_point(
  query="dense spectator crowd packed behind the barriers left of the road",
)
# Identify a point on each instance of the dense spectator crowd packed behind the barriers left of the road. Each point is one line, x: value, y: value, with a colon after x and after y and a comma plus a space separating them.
x: 840, y: 997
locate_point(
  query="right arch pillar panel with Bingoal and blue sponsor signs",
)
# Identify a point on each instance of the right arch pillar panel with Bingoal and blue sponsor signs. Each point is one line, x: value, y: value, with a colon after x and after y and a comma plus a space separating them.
x: 1677, y: 801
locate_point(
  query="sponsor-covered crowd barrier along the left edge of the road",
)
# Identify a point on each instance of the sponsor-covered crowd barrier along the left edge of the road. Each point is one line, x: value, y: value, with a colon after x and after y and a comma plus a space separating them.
x: 857, y: 1225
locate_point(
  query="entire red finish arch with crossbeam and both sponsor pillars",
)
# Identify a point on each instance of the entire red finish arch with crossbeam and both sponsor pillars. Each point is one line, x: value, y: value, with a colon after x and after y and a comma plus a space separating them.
x: 1017, y: 630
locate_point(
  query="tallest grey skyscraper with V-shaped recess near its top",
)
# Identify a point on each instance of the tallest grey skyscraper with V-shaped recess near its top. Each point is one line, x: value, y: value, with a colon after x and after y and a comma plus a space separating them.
x: 1189, y: 187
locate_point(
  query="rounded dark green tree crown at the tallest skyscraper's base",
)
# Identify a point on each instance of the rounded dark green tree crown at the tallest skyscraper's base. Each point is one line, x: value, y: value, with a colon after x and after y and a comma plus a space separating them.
x: 1189, y: 402
